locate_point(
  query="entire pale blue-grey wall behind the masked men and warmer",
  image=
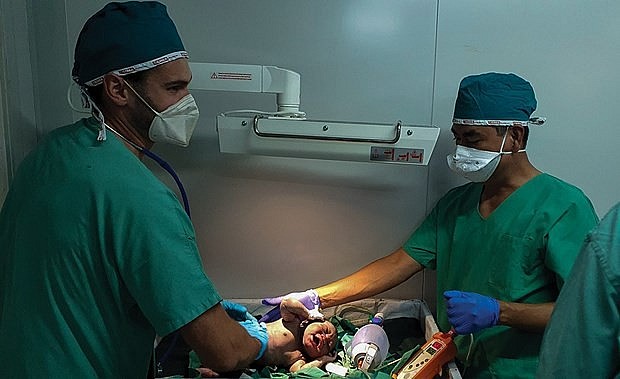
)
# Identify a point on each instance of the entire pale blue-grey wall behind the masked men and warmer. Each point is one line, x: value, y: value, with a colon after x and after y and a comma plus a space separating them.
x: 269, y: 225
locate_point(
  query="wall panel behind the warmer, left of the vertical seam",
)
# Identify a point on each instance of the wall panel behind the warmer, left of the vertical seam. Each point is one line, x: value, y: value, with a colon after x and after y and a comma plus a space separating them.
x: 268, y: 225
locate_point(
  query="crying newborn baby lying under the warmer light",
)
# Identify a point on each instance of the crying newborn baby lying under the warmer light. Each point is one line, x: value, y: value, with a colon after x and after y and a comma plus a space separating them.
x: 296, y: 341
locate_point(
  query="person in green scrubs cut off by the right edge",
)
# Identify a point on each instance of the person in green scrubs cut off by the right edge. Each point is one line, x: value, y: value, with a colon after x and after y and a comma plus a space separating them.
x: 583, y: 336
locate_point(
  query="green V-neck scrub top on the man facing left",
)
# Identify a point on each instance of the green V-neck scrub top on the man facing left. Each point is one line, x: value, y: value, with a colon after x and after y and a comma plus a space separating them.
x: 522, y: 252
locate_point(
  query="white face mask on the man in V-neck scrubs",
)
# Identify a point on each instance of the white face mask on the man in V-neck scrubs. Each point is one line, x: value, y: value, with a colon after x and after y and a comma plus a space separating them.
x: 476, y: 165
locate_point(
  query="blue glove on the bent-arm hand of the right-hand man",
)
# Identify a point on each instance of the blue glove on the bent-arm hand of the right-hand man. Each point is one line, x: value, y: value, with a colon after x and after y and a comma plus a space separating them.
x: 470, y: 312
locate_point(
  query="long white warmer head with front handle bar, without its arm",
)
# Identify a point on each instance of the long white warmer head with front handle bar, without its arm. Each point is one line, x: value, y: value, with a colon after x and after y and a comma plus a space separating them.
x: 289, y: 137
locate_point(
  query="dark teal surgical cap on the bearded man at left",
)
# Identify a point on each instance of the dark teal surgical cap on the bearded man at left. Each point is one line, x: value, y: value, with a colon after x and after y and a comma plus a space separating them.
x: 125, y: 38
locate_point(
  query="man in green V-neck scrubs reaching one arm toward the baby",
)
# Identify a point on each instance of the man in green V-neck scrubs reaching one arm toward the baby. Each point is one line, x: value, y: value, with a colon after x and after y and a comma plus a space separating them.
x: 502, y: 245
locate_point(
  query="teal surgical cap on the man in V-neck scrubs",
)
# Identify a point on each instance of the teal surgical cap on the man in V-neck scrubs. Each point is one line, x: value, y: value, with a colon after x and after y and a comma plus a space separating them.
x: 494, y: 99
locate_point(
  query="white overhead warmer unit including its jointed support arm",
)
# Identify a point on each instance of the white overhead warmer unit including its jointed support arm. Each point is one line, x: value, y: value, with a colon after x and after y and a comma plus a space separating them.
x: 287, y: 133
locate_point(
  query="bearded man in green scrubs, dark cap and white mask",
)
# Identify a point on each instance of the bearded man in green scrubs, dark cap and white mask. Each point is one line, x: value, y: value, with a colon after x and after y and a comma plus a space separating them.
x: 96, y: 254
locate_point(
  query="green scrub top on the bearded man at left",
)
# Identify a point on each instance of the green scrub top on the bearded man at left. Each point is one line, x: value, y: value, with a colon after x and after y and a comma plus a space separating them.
x: 97, y: 255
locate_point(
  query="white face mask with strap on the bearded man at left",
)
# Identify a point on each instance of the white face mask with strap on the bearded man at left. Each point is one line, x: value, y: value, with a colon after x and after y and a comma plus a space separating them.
x: 176, y: 123
